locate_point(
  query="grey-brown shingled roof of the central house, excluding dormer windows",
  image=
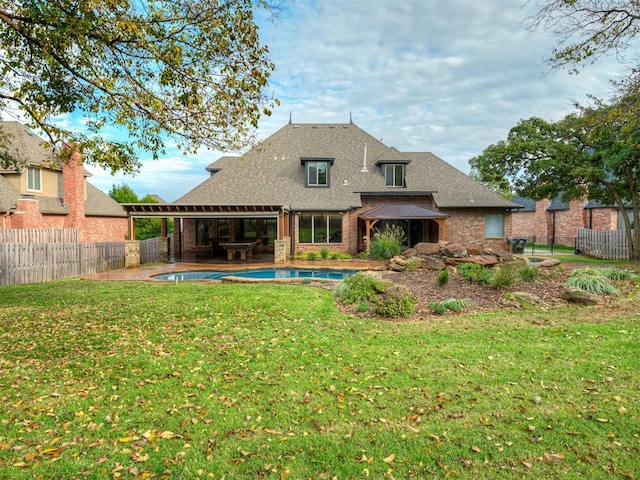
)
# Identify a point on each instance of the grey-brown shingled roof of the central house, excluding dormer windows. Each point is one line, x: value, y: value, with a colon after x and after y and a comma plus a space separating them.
x: 271, y: 173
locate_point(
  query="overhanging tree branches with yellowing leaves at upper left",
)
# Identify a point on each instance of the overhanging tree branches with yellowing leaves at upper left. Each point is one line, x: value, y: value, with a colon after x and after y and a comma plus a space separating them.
x: 194, y: 72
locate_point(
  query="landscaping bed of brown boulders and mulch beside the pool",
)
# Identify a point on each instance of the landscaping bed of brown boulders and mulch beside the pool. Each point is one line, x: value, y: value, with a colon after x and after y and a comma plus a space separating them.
x: 417, y: 270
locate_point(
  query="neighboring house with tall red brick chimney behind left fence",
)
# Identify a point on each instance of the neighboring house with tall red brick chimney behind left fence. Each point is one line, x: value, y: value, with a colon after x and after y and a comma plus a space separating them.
x: 46, y: 193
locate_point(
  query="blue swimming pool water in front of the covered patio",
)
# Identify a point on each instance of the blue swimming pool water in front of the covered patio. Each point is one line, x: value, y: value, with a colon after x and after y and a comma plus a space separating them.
x: 263, y: 273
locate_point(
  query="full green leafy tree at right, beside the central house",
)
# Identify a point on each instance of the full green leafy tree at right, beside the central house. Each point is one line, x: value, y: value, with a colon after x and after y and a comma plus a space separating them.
x: 593, y: 153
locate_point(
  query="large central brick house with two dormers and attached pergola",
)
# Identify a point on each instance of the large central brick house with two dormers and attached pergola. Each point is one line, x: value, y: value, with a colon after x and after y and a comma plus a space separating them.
x: 332, y: 185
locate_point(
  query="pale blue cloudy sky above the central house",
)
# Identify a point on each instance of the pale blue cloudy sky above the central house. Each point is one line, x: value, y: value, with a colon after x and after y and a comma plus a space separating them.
x: 446, y: 76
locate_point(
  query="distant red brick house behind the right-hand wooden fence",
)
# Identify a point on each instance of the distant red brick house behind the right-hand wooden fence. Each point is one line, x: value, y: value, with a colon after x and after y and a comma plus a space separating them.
x: 553, y: 221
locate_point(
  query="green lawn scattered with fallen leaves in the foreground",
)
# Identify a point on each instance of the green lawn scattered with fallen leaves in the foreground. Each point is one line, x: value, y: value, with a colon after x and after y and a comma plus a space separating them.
x: 151, y: 380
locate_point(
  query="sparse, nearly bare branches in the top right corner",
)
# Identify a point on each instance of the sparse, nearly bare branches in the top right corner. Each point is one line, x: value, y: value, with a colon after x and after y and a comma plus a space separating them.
x: 586, y: 29
